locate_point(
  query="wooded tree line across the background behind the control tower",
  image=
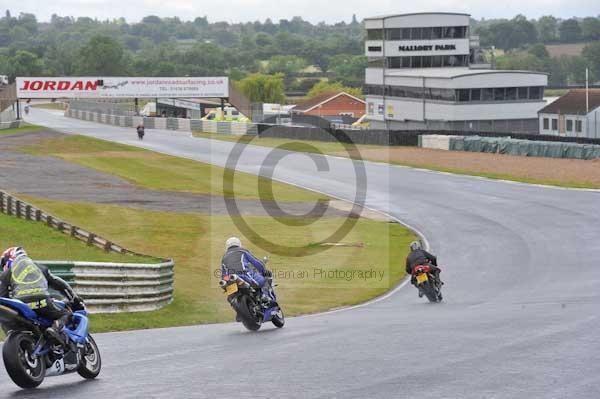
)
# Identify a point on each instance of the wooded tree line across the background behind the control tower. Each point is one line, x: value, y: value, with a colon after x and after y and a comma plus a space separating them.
x: 295, y: 52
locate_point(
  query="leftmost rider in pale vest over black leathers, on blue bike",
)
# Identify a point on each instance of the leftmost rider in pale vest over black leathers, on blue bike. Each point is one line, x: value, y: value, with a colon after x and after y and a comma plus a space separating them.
x: 28, y: 282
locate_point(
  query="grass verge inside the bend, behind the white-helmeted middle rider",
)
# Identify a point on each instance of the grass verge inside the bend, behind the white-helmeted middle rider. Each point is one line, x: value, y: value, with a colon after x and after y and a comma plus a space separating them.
x: 315, y: 282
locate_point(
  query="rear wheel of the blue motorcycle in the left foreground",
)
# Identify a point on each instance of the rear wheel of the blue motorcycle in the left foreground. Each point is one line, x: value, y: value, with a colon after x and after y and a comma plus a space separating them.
x: 25, y: 370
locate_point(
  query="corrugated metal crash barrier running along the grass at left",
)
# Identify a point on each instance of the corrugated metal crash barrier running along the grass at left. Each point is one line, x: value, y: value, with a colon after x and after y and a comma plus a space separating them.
x: 106, y: 287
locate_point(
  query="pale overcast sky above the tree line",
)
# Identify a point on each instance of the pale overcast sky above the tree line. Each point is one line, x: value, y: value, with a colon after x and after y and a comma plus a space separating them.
x: 311, y: 10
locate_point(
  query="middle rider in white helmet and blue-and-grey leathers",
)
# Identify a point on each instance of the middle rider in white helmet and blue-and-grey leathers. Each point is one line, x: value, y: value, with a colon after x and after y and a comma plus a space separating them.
x: 241, y: 262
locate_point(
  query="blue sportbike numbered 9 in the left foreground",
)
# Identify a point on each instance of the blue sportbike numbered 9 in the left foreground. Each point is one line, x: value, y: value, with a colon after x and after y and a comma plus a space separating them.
x: 30, y: 356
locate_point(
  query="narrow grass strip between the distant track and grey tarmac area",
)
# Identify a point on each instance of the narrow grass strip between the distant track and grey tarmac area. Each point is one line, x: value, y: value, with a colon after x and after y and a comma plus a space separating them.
x: 160, y: 172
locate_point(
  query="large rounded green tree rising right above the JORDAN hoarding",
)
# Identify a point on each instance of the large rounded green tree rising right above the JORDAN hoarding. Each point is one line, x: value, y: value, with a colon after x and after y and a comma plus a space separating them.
x: 103, y: 56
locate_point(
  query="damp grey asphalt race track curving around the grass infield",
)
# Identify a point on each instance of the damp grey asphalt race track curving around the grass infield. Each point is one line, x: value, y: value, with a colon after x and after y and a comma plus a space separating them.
x: 521, y: 317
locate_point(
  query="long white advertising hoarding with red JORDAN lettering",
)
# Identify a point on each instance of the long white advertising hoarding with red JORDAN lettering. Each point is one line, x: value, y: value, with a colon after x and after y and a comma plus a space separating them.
x: 121, y: 87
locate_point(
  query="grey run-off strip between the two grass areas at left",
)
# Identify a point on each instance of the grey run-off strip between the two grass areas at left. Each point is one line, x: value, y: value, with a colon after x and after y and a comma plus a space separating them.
x: 56, y: 179
